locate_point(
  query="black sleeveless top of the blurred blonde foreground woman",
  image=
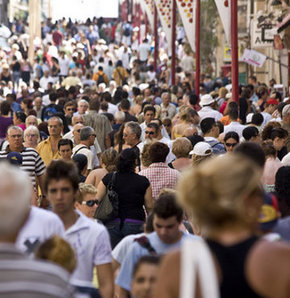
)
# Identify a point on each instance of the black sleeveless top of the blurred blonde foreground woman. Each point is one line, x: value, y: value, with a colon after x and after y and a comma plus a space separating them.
x: 232, y: 261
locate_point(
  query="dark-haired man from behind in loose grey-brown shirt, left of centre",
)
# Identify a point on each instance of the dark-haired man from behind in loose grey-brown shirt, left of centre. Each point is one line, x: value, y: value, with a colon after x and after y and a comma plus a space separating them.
x: 99, y: 123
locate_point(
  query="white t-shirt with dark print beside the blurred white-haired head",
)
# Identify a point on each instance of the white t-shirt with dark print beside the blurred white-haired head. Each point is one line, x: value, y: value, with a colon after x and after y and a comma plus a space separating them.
x: 40, y: 226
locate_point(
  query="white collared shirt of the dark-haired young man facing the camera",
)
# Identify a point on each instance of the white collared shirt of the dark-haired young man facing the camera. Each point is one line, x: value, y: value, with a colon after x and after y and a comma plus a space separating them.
x: 92, y: 246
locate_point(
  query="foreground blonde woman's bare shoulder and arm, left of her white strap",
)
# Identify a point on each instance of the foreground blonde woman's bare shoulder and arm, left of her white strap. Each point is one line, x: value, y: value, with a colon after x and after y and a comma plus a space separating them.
x: 168, y: 277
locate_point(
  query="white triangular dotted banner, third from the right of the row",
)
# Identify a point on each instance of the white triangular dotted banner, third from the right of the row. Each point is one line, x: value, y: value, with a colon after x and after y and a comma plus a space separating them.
x: 164, y: 8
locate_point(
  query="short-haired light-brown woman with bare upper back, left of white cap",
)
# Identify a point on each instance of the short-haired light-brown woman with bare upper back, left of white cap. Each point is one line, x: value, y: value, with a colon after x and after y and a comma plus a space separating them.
x: 181, y: 148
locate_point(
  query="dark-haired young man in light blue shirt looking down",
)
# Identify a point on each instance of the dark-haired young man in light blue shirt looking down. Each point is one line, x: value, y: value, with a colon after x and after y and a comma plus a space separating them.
x: 167, y: 216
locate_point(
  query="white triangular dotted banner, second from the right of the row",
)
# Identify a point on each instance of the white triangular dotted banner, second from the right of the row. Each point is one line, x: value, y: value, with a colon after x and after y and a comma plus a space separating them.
x: 187, y: 10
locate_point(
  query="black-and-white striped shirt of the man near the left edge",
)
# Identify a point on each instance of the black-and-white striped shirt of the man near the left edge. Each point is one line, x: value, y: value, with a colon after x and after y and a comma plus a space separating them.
x: 31, y: 162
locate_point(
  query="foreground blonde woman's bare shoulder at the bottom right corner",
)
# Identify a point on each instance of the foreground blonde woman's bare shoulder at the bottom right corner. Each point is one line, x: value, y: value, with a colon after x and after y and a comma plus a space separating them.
x: 268, y: 268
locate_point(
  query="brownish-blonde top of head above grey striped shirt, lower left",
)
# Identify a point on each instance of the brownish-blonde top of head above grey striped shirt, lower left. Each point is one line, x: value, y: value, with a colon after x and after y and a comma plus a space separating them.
x: 59, y: 251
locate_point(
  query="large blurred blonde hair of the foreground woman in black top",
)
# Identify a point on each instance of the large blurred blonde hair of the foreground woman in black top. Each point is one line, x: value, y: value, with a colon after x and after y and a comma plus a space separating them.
x: 216, y: 190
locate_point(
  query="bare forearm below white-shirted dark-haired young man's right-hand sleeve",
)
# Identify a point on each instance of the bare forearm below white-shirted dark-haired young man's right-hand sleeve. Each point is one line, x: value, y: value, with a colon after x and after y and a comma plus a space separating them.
x: 106, y: 282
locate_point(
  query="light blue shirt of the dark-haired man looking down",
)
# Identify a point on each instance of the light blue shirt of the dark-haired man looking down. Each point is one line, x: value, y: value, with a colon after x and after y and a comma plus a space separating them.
x: 126, y: 272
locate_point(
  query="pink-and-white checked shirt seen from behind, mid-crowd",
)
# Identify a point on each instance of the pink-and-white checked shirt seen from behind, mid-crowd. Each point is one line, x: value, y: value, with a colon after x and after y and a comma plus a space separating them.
x: 160, y: 176
